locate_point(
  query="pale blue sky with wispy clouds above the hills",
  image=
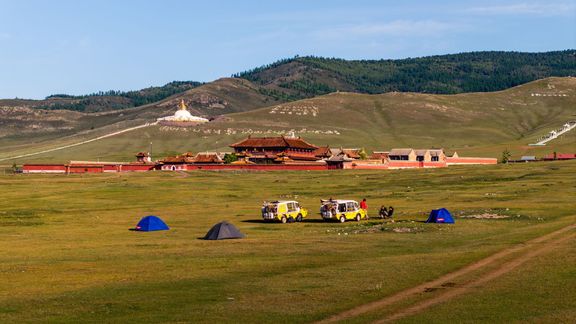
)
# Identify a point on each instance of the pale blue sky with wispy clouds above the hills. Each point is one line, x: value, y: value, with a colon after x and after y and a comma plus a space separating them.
x: 79, y: 47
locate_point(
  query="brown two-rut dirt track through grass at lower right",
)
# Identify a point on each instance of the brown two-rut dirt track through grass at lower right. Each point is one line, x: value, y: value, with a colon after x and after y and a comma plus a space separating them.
x: 543, y: 244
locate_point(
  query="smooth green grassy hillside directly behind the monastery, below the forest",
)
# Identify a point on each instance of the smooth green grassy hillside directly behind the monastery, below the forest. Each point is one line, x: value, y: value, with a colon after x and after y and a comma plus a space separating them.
x: 476, y: 123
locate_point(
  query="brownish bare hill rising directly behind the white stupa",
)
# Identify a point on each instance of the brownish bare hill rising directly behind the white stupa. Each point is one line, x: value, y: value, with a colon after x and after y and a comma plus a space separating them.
x: 22, y: 122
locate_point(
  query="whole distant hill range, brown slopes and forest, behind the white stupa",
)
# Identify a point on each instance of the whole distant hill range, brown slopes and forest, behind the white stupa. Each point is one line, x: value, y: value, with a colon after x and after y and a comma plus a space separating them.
x: 24, y: 122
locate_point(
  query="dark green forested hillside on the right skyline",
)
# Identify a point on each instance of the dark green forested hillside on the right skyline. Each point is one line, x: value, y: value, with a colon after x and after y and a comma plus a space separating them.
x: 302, y: 77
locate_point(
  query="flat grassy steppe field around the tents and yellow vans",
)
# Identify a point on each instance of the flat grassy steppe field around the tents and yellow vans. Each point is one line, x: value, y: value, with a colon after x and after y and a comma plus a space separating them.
x: 66, y: 254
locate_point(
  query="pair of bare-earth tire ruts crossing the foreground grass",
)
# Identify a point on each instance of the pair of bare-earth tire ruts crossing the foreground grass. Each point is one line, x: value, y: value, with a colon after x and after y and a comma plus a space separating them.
x: 443, y: 280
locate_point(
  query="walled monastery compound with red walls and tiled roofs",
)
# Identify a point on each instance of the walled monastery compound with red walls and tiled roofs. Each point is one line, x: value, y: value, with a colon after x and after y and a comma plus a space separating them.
x: 272, y: 153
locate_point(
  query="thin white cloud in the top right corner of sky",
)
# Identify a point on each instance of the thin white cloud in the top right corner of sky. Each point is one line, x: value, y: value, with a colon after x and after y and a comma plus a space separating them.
x: 528, y: 8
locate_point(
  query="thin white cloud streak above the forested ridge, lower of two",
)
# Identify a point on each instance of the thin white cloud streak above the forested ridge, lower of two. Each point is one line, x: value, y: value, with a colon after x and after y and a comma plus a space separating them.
x: 400, y: 28
